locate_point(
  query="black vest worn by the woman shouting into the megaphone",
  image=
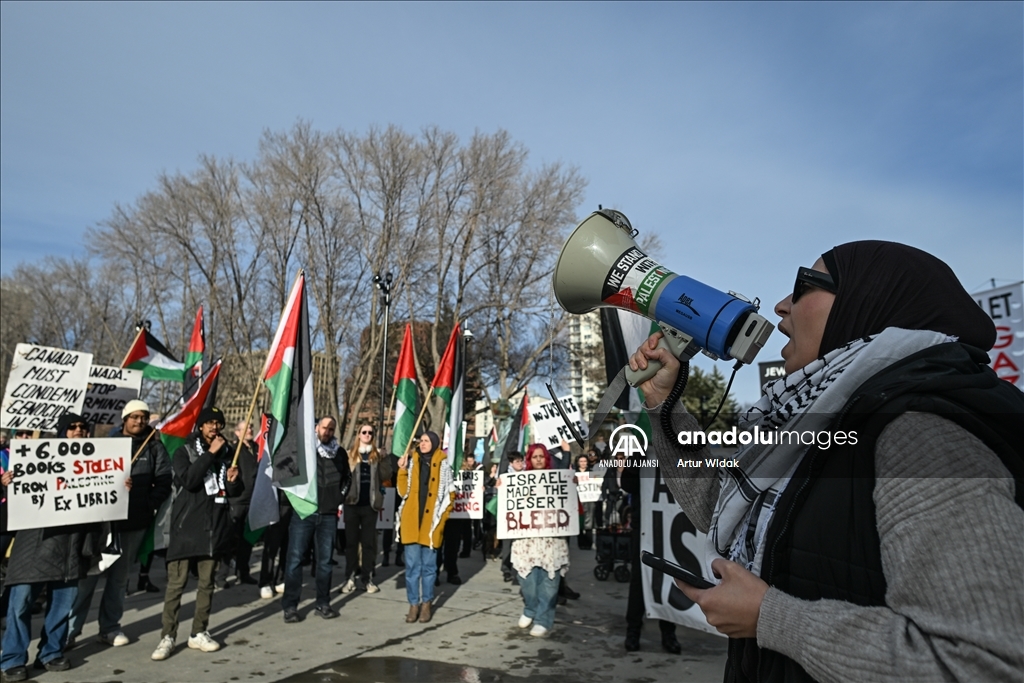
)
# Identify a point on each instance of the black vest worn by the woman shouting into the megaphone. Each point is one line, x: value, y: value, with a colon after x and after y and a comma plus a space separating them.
x: 823, y: 542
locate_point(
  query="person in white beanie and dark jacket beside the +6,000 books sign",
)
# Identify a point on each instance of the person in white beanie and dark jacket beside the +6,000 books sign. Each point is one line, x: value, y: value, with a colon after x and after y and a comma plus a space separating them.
x: 150, y: 486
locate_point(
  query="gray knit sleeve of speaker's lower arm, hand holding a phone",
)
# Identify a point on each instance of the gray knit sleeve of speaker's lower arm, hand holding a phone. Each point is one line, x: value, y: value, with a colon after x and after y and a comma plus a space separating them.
x: 953, y: 552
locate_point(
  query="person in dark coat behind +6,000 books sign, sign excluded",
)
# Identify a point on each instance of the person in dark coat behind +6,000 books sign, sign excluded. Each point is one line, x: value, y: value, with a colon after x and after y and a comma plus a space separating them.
x: 55, y: 559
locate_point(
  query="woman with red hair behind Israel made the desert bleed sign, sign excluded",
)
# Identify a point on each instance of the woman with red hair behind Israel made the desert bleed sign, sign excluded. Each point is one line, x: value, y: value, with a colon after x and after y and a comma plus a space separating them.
x: 540, y: 562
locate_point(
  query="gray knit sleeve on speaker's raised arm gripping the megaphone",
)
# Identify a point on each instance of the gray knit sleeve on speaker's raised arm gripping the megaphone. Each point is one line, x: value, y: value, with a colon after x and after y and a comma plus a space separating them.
x: 696, y: 489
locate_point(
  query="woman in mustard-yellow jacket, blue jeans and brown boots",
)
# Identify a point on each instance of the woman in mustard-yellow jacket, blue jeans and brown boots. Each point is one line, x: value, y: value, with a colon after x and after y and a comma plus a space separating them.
x: 428, y: 490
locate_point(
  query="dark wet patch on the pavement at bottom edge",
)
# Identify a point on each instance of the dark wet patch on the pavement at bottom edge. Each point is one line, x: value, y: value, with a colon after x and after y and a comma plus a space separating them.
x: 405, y: 670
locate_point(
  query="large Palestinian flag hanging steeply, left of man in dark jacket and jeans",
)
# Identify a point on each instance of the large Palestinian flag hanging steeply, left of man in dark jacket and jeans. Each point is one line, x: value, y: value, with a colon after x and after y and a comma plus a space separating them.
x: 289, y: 378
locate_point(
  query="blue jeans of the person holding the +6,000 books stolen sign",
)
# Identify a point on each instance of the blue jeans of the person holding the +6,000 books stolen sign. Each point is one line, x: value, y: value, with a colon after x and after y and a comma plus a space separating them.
x: 19, y: 633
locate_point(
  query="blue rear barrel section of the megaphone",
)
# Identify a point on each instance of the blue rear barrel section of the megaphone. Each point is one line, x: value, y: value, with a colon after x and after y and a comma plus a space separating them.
x: 703, y: 313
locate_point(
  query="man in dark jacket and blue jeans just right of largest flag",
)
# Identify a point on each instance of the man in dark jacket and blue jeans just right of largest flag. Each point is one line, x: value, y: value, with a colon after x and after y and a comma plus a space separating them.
x: 333, y: 480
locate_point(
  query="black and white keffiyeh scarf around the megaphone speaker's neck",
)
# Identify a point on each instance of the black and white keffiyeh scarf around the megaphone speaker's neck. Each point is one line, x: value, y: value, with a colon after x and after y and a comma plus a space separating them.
x: 806, y: 401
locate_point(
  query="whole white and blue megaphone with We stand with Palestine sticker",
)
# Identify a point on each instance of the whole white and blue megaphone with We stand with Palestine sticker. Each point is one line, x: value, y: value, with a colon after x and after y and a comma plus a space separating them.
x: 602, y: 266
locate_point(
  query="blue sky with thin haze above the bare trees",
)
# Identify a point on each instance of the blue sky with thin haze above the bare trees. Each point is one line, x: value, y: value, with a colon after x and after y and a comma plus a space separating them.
x: 752, y: 138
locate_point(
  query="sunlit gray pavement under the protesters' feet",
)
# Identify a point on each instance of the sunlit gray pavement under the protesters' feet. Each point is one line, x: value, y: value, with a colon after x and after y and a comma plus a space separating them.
x: 473, y: 637
